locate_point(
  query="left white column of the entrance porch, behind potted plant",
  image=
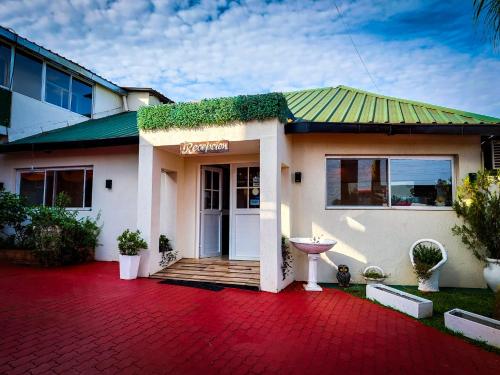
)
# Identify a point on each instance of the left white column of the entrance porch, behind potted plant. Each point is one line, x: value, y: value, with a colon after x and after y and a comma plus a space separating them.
x: 148, y: 202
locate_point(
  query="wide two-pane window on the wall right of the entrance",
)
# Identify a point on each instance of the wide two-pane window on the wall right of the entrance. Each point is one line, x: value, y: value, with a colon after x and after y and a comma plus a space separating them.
x: 409, y: 182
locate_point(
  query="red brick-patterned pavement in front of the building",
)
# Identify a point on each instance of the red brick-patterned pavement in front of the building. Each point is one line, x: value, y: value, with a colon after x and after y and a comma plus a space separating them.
x: 85, y: 320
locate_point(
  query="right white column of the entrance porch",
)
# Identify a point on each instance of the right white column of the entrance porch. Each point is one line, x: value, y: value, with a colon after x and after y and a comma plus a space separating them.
x: 270, y: 214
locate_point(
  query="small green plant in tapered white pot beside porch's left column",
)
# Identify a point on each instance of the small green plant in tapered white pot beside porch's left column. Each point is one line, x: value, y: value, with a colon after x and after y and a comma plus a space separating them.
x: 130, y: 244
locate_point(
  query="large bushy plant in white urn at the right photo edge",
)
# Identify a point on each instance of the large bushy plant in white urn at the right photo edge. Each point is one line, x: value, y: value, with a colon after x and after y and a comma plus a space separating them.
x: 478, y: 204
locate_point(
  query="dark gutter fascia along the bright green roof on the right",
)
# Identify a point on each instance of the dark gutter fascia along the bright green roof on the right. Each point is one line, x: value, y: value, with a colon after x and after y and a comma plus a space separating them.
x: 392, y: 129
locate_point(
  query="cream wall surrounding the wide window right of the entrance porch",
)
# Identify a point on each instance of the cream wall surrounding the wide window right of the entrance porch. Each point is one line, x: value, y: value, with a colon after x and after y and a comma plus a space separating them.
x: 378, y: 236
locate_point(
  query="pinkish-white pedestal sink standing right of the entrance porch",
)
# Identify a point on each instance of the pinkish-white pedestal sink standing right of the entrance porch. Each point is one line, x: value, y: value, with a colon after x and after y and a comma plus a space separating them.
x: 312, y: 247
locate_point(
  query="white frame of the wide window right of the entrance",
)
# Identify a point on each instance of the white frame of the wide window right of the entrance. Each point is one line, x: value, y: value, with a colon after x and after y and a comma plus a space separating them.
x: 389, y: 182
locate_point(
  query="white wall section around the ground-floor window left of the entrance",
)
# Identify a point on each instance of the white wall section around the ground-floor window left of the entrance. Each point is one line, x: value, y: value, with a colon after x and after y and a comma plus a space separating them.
x: 117, y: 207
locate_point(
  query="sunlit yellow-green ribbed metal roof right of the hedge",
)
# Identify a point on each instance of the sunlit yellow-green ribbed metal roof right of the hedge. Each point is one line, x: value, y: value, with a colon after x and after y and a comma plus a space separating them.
x: 344, y: 104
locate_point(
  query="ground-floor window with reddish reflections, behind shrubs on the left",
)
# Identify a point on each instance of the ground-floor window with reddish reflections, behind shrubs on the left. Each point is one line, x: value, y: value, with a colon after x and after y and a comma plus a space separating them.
x: 43, y: 186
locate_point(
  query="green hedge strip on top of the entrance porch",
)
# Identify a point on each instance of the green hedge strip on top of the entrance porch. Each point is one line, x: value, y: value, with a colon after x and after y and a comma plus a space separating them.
x: 214, y: 112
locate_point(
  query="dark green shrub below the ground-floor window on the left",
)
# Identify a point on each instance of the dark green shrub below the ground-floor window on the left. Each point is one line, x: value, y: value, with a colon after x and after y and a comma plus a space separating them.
x: 59, y: 237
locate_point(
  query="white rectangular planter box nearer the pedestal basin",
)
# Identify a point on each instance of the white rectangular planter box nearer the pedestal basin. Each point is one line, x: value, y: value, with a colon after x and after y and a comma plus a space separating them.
x: 408, y: 303
